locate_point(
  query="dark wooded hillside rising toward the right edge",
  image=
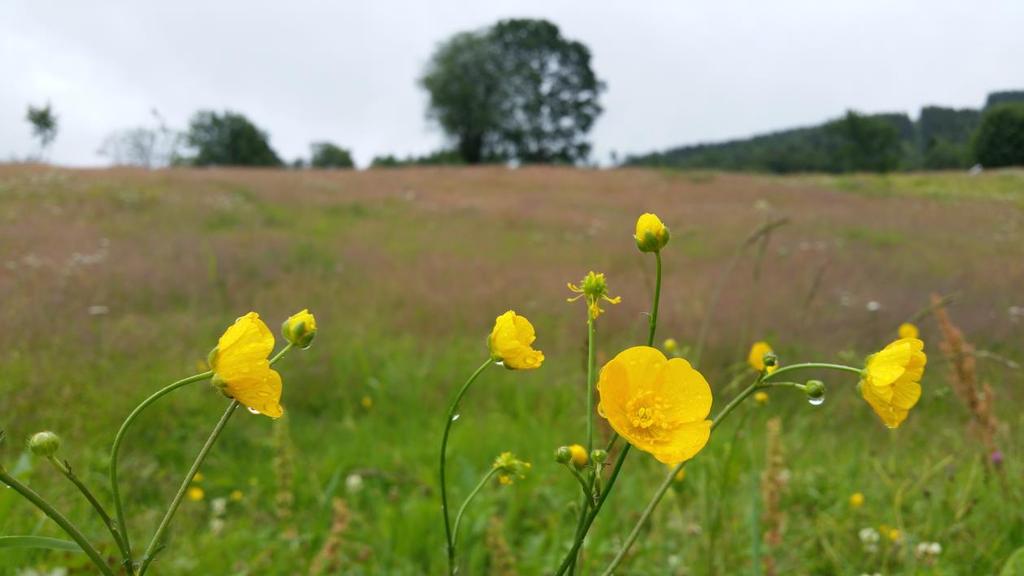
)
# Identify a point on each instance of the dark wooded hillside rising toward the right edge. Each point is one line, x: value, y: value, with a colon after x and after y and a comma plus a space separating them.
x: 940, y: 139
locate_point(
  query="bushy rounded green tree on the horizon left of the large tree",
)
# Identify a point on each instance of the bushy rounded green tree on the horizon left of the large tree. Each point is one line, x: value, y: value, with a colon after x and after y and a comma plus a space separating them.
x: 229, y: 140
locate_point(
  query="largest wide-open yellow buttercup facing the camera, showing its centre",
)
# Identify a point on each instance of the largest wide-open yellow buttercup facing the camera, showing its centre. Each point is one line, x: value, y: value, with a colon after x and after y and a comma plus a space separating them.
x: 659, y: 405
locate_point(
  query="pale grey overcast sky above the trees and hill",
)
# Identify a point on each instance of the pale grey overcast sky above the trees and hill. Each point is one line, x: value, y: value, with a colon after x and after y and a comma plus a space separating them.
x: 678, y: 72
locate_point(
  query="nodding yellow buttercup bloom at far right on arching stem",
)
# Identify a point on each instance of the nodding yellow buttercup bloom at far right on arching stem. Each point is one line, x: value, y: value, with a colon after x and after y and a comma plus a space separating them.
x: 891, y: 383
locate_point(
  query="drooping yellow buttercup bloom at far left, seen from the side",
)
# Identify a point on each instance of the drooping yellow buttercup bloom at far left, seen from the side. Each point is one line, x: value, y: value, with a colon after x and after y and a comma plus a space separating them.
x: 241, y: 367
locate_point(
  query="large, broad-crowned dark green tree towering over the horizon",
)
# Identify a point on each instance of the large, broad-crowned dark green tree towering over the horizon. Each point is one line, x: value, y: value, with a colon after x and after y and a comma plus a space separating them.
x: 519, y: 91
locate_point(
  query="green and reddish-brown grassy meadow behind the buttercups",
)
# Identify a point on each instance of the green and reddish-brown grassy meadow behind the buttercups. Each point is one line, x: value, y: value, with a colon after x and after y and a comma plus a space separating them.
x: 117, y: 282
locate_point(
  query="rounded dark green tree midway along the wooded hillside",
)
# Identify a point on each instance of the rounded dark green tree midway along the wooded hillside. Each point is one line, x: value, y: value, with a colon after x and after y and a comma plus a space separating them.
x: 865, y: 144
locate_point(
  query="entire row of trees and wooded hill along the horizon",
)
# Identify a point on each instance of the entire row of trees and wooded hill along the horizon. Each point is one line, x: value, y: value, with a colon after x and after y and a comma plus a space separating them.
x: 520, y: 92
